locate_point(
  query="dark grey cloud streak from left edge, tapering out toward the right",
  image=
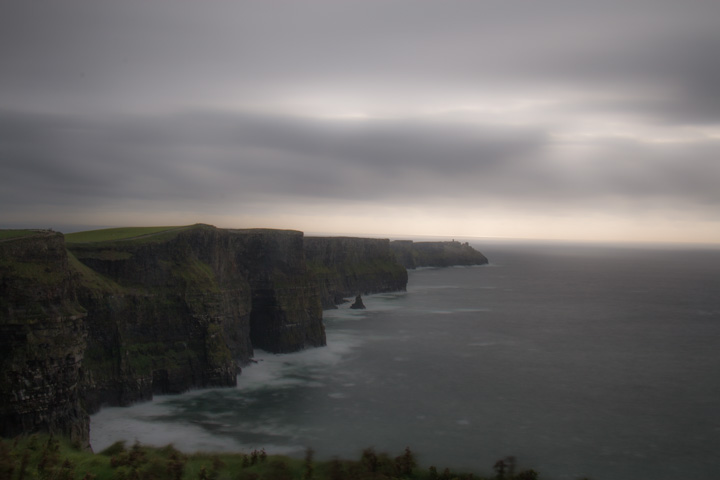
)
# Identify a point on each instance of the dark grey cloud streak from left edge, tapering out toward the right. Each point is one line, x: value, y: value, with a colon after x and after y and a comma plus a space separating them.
x: 196, y: 157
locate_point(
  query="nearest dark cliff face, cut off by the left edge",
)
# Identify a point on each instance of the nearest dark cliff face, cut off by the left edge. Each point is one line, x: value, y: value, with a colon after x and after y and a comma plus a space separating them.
x: 42, y: 339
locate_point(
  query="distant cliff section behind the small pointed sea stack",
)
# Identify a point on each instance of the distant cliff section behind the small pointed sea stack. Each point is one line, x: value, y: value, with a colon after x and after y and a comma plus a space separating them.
x: 345, y: 267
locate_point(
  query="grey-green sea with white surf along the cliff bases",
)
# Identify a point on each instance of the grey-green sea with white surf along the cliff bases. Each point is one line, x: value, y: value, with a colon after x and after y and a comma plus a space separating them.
x: 578, y: 360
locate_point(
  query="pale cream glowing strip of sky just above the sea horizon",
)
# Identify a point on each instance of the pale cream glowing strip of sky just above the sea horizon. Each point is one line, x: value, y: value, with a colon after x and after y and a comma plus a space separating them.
x: 600, y: 229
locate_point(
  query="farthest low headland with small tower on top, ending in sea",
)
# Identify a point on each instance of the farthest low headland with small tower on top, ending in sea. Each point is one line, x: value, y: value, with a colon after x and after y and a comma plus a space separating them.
x: 435, y: 254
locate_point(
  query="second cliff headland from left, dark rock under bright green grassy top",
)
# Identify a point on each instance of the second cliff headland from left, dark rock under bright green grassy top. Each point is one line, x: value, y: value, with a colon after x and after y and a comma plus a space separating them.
x: 172, y: 314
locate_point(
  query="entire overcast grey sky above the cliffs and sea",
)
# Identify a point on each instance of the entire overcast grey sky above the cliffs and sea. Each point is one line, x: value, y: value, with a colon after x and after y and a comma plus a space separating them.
x: 558, y: 119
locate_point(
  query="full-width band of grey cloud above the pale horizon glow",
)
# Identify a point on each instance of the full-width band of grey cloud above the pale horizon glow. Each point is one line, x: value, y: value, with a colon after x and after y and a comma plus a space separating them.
x: 197, y: 159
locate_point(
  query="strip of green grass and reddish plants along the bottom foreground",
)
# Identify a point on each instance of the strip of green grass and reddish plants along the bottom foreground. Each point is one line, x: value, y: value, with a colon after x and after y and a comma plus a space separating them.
x: 43, y: 457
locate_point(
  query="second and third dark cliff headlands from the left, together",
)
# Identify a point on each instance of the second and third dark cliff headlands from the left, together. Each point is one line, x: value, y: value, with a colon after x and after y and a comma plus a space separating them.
x: 189, y: 306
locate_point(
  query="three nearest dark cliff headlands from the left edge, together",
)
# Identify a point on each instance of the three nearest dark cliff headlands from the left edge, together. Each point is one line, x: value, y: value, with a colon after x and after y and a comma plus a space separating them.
x: 104, y: 318
